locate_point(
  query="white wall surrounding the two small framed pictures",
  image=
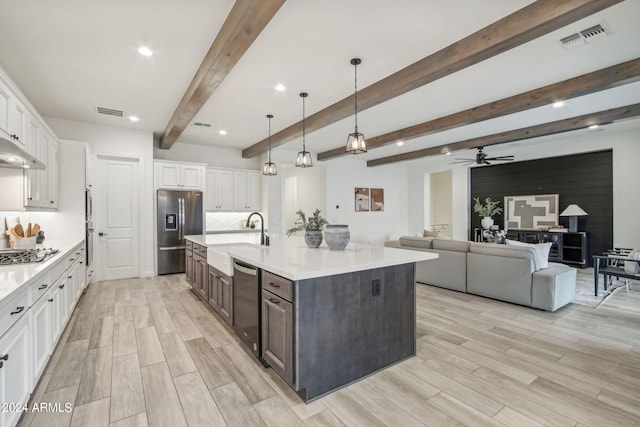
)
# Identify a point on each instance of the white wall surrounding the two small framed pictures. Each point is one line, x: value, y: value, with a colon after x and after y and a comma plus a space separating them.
x: 344, y: 175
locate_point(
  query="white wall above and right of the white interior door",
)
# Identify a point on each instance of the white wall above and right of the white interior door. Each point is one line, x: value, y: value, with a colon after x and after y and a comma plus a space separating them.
x: 121, y: 142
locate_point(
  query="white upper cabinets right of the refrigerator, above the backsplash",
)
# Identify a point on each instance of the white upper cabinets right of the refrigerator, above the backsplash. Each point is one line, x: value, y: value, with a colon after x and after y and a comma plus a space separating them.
x: 232, y: 190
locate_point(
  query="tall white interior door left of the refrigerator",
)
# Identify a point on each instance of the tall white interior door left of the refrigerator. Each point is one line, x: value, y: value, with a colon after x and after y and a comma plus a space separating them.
x: 116, y: 218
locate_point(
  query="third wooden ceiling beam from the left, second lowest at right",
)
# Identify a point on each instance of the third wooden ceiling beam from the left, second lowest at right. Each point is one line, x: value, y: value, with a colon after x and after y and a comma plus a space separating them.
x: 585, y: 84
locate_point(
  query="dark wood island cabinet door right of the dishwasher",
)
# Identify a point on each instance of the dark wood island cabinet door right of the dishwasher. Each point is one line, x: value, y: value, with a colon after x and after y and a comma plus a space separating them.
x: 277, y: 334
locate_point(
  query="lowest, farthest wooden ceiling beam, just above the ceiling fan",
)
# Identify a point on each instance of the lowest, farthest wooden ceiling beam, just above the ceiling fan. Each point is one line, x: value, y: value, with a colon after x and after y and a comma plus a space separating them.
x: 552, y: 128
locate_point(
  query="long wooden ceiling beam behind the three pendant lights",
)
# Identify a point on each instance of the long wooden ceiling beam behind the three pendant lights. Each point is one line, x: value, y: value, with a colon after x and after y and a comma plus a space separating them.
x: 526, y: 24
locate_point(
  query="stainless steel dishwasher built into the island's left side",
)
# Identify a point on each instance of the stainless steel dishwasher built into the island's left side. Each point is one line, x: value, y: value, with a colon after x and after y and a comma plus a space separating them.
x: 246, y: 306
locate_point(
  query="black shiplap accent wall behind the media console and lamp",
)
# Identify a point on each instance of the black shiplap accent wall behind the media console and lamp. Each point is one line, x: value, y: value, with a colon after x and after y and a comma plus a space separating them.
x: 582, y: 179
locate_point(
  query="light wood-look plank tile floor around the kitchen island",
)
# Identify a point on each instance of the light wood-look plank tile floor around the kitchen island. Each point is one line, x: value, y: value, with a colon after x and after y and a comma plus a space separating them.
x: 148, y: 352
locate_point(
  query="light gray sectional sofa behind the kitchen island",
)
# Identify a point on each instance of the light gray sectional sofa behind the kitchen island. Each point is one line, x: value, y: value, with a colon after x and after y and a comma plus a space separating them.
x: 502, y: 272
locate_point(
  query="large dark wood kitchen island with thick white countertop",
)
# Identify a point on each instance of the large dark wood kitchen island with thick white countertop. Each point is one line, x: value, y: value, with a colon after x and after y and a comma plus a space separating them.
x: 329, y: 318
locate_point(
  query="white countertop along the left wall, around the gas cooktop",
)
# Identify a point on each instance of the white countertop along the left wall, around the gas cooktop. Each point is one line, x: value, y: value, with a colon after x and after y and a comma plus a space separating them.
x: 14, y: 277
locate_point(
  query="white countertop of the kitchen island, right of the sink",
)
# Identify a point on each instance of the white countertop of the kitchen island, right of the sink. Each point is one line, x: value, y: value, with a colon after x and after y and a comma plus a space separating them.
x: 291, y: 258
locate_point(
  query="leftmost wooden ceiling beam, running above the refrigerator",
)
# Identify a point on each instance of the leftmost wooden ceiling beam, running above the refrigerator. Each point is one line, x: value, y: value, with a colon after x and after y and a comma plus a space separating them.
x: 245, y: 22
